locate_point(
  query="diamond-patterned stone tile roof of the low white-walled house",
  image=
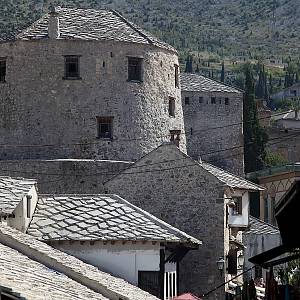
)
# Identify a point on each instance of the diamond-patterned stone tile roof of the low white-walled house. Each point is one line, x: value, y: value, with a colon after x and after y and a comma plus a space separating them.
x: 99, y: 217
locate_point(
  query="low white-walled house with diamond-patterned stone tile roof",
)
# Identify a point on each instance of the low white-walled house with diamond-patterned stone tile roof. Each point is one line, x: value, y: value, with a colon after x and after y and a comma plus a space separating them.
x: 108, y: 232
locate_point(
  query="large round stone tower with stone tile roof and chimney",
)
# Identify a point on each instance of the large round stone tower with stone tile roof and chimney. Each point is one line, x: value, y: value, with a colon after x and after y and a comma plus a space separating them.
x: 83, y: 83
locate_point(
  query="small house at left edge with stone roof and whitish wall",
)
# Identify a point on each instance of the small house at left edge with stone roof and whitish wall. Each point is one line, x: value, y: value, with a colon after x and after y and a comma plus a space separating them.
x: 18, y: 198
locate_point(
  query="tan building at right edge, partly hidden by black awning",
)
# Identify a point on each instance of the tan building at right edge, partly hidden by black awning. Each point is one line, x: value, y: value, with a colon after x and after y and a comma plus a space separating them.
x: 276, y: 182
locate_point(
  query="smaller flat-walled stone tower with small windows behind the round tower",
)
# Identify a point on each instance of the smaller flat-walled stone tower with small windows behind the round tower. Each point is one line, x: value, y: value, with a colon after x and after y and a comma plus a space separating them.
x: 213, y: 117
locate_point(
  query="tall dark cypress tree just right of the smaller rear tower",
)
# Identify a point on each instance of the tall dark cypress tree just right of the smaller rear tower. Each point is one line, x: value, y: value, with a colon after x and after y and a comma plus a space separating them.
x: 255, y: 137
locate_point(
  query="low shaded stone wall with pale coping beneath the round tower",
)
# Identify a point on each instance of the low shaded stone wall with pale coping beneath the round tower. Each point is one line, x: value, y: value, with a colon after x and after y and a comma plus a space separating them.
x: 65, y: 176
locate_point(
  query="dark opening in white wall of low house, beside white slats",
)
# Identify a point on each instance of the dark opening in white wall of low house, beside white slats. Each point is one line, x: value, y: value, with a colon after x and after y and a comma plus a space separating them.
x: 149, y: 282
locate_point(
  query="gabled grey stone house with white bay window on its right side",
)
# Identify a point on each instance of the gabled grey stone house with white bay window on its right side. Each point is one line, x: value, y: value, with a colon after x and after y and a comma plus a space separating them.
x: 200, y: 199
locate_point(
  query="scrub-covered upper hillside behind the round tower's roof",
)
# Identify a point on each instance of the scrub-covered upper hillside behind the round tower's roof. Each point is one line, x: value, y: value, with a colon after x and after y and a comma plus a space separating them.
x: 230, y: 28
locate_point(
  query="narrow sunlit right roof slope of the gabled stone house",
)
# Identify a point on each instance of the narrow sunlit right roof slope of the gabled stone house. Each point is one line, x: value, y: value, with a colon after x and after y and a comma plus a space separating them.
x: 231, y: 180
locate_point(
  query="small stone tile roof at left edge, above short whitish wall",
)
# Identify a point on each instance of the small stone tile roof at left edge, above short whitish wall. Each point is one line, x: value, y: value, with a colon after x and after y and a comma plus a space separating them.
x: 12, y: 191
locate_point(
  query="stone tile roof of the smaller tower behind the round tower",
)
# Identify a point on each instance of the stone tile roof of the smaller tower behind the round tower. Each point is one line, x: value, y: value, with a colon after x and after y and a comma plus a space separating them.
x: 198, y: 83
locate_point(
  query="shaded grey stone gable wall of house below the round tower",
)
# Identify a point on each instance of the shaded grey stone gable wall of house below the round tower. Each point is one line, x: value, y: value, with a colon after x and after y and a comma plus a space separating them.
x: 173, y: 187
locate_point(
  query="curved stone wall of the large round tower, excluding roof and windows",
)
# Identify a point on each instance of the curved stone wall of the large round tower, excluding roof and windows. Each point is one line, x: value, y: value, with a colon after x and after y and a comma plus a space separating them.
x: 49, y: 117
